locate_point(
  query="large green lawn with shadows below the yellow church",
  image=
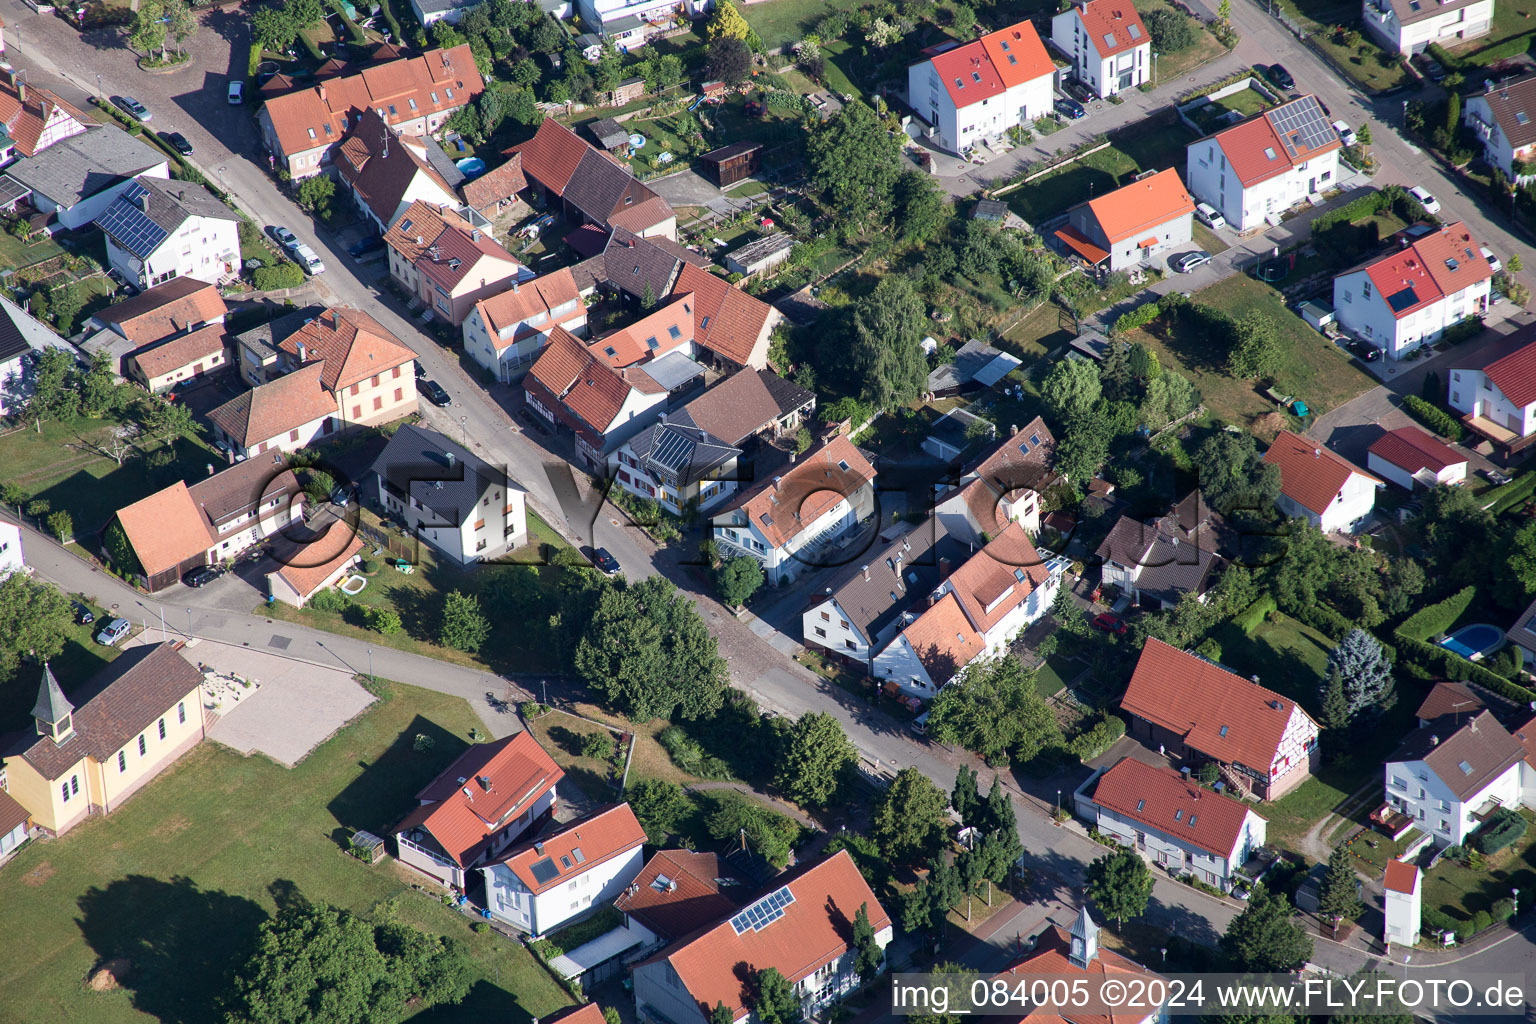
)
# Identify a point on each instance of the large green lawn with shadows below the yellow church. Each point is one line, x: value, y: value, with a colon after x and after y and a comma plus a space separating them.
x: 179, y: 879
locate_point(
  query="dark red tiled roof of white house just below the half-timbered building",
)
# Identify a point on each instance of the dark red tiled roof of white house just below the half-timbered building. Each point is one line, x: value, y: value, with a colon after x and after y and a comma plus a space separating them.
x: 1165, y: 801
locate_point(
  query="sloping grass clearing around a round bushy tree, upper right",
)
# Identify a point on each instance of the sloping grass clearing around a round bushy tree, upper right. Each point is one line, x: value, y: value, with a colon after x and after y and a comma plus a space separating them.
x: 1313, y: 369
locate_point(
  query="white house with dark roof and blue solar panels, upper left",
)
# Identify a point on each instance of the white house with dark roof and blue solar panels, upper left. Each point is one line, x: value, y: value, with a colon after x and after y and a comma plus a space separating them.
x: 159, y: 230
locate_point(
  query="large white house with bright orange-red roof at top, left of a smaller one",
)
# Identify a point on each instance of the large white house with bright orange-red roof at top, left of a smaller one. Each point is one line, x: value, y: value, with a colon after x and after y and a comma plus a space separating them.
x: 976, y: 93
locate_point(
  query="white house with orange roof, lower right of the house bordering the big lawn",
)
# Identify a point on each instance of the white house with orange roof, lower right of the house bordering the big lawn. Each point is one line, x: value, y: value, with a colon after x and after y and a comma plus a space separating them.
x: 568, y: 873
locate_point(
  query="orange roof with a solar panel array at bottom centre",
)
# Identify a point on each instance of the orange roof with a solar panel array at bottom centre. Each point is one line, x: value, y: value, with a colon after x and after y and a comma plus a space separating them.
x: 812, y: 934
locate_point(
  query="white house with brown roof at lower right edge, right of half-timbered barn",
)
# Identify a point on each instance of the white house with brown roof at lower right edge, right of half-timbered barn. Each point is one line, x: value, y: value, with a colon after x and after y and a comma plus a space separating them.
x: 1451, y: 782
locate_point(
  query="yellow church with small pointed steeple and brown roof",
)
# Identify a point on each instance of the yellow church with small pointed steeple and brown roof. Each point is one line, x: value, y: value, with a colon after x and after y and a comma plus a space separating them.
x: 136, y: 718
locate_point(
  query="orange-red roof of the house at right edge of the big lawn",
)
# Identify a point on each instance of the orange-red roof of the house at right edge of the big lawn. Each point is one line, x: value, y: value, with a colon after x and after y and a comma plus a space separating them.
x: 463, y: 816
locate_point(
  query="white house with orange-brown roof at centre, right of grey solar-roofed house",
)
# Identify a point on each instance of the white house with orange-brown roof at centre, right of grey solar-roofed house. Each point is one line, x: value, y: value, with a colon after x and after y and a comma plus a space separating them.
x: 792, y: 523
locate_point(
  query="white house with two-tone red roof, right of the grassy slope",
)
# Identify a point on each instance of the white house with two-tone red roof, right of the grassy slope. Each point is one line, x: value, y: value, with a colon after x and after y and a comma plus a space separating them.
x: 1408, y: 297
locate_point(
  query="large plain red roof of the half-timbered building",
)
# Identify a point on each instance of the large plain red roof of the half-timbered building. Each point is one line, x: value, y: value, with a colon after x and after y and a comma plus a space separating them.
x: 1217, y: 713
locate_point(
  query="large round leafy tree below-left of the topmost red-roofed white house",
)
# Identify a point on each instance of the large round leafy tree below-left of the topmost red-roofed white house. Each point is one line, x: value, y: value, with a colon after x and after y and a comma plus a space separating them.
x: 855, y: 162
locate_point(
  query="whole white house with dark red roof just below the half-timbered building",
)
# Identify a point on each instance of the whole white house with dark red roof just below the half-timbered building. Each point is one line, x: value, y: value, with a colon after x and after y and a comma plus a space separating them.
x: 1174, y: 821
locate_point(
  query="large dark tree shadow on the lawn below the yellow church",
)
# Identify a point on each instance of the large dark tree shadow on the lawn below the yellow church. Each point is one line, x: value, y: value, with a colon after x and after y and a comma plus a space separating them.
x: 184, y: 943
